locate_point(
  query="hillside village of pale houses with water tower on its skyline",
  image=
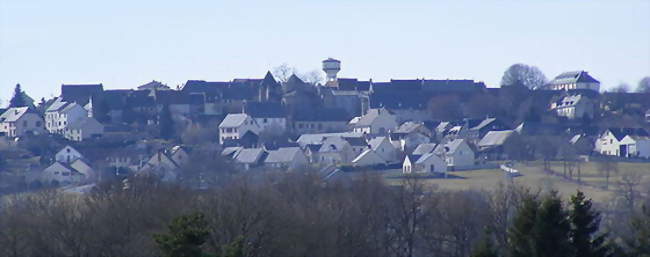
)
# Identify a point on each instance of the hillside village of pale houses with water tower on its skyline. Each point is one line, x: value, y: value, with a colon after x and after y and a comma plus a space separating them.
x: 337, y: 126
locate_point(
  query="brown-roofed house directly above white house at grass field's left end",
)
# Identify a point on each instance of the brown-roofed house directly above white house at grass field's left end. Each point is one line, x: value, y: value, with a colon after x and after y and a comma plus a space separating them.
x: 409, y: 135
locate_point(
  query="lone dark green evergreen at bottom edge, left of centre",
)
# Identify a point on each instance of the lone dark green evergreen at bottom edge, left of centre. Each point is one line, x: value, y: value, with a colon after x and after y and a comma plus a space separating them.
x: 185, y: 237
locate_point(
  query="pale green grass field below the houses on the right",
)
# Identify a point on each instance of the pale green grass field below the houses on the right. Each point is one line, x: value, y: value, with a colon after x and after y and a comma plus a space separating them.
x: 533, y: 176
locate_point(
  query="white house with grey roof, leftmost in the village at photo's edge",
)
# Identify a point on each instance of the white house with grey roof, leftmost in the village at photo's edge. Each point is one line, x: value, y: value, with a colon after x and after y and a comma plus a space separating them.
x: 20, y: 121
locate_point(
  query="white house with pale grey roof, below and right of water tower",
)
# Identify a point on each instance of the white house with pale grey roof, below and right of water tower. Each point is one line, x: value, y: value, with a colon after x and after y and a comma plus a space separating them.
x: 375, y: 122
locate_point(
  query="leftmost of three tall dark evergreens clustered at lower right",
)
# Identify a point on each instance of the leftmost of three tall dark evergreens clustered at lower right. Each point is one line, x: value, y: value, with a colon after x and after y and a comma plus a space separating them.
x: 520, y: 233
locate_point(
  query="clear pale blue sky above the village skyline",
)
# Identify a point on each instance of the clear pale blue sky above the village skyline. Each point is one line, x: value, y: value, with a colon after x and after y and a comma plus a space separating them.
x: 123, y: 44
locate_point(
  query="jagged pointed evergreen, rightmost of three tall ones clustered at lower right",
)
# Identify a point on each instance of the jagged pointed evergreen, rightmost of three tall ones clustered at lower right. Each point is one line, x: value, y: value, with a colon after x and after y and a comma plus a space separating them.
x: 584, y: 224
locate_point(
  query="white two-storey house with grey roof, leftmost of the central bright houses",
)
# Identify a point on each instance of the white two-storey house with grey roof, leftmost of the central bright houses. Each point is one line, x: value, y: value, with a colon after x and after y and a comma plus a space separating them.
x: 235, y: 126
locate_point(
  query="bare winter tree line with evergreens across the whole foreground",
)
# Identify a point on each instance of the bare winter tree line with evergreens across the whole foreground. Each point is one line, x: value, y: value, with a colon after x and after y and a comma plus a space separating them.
x: 301, y: 215
